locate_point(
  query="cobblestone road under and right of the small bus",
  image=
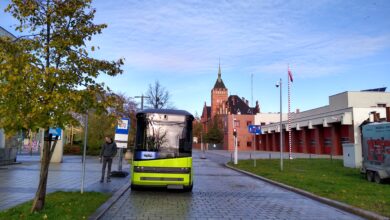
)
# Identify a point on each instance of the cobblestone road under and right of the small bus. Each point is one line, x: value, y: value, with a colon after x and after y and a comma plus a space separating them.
x: 221, y: 193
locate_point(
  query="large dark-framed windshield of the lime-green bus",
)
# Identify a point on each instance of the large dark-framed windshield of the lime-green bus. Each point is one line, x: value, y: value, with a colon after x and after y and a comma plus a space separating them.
x: 161, y: 136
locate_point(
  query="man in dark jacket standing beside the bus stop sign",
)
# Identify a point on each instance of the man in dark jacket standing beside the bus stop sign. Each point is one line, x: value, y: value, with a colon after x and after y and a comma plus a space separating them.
x: 108, y: 151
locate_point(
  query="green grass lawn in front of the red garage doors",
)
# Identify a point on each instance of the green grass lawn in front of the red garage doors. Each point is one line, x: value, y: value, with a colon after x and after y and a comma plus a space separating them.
x: 326, y: 178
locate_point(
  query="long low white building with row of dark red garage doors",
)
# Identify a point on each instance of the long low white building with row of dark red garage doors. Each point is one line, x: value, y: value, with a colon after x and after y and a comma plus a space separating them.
x: 324, y: 130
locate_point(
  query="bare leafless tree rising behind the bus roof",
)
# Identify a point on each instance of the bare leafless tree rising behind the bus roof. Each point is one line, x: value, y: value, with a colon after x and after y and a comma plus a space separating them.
x: 158, y: 96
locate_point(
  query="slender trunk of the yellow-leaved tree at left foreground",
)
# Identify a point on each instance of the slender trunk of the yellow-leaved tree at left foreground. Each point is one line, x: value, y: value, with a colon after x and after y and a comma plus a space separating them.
x: 40, y: 195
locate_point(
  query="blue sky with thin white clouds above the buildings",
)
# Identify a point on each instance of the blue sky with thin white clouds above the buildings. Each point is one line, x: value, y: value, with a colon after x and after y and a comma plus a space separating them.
x: 331, y: 46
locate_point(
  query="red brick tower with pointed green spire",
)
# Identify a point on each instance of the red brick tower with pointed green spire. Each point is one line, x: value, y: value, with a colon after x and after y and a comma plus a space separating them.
x: 219, y: 96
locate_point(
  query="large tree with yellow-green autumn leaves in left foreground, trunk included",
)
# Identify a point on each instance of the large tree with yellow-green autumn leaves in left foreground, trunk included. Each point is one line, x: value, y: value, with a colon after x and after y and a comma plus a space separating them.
x: 48, y: 75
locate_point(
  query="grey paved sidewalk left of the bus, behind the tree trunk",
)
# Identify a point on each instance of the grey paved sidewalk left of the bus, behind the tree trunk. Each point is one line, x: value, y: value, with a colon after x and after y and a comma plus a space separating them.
x: 18, y: 183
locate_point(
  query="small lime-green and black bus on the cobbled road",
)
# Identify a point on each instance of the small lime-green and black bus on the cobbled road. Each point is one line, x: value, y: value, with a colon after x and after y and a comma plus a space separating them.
x: 163, y: 150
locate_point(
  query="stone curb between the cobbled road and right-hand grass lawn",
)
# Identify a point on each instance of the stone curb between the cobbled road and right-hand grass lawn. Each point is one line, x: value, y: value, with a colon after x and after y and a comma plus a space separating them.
x: 354, y: 210
